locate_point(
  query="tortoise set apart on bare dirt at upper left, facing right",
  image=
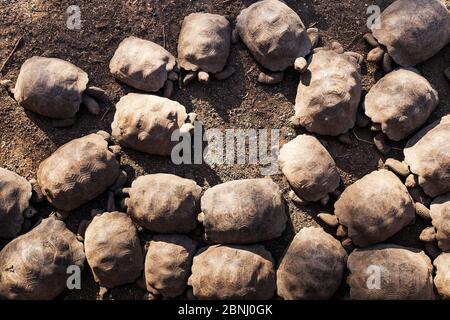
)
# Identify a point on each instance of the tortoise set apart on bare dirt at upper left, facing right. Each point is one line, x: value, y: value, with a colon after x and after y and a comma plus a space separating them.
x: 55, y: 89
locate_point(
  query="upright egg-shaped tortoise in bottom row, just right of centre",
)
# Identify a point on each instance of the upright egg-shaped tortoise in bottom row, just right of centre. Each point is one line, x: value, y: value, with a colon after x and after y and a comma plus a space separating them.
x: 312, y: 267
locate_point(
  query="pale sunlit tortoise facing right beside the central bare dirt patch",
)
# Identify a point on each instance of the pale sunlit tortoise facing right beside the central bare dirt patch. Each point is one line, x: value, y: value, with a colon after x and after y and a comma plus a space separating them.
x: 146, y: 123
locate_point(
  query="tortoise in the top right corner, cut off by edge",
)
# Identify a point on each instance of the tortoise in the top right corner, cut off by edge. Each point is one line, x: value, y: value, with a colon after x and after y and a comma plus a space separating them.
x: 409, y: 32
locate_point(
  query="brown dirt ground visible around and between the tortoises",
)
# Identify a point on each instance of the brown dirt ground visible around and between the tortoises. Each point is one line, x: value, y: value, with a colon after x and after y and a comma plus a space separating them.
x: 239, y: 102
